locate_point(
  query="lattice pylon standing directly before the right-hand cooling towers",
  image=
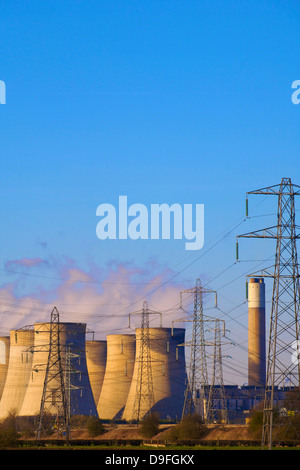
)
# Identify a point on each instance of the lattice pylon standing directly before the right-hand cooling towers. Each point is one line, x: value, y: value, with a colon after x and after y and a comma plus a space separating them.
x: 144, y: 397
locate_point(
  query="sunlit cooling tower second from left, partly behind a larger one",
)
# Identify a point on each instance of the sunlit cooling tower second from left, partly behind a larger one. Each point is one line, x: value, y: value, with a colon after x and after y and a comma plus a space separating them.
x: 19, y: 370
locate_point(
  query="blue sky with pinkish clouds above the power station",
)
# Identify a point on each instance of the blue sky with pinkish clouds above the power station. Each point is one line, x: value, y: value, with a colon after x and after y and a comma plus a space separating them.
x: 173, y: 101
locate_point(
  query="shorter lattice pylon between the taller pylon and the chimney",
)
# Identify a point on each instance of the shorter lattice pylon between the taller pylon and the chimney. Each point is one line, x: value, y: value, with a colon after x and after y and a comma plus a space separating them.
x: 217, y: 405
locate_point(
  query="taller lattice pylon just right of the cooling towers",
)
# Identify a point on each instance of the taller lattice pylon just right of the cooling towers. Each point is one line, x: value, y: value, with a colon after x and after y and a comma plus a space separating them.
x: 196, y: 394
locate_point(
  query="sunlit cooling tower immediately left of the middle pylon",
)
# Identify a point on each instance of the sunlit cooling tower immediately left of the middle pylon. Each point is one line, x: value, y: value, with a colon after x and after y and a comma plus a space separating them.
x: 118, y: 376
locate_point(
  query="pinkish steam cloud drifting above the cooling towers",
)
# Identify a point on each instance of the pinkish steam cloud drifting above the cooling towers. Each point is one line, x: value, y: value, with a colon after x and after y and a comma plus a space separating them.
x: 101, y: 297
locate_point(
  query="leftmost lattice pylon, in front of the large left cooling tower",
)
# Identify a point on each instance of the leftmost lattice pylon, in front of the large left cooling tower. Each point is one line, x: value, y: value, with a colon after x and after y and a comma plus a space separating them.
x: 54, y: 397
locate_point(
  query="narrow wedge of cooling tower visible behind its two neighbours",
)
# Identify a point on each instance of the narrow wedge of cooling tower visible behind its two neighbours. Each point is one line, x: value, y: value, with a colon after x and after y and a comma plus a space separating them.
x: 96, y: 352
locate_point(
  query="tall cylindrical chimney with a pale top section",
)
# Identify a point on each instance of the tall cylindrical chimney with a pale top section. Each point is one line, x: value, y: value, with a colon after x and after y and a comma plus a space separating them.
x: 256, y: 333
